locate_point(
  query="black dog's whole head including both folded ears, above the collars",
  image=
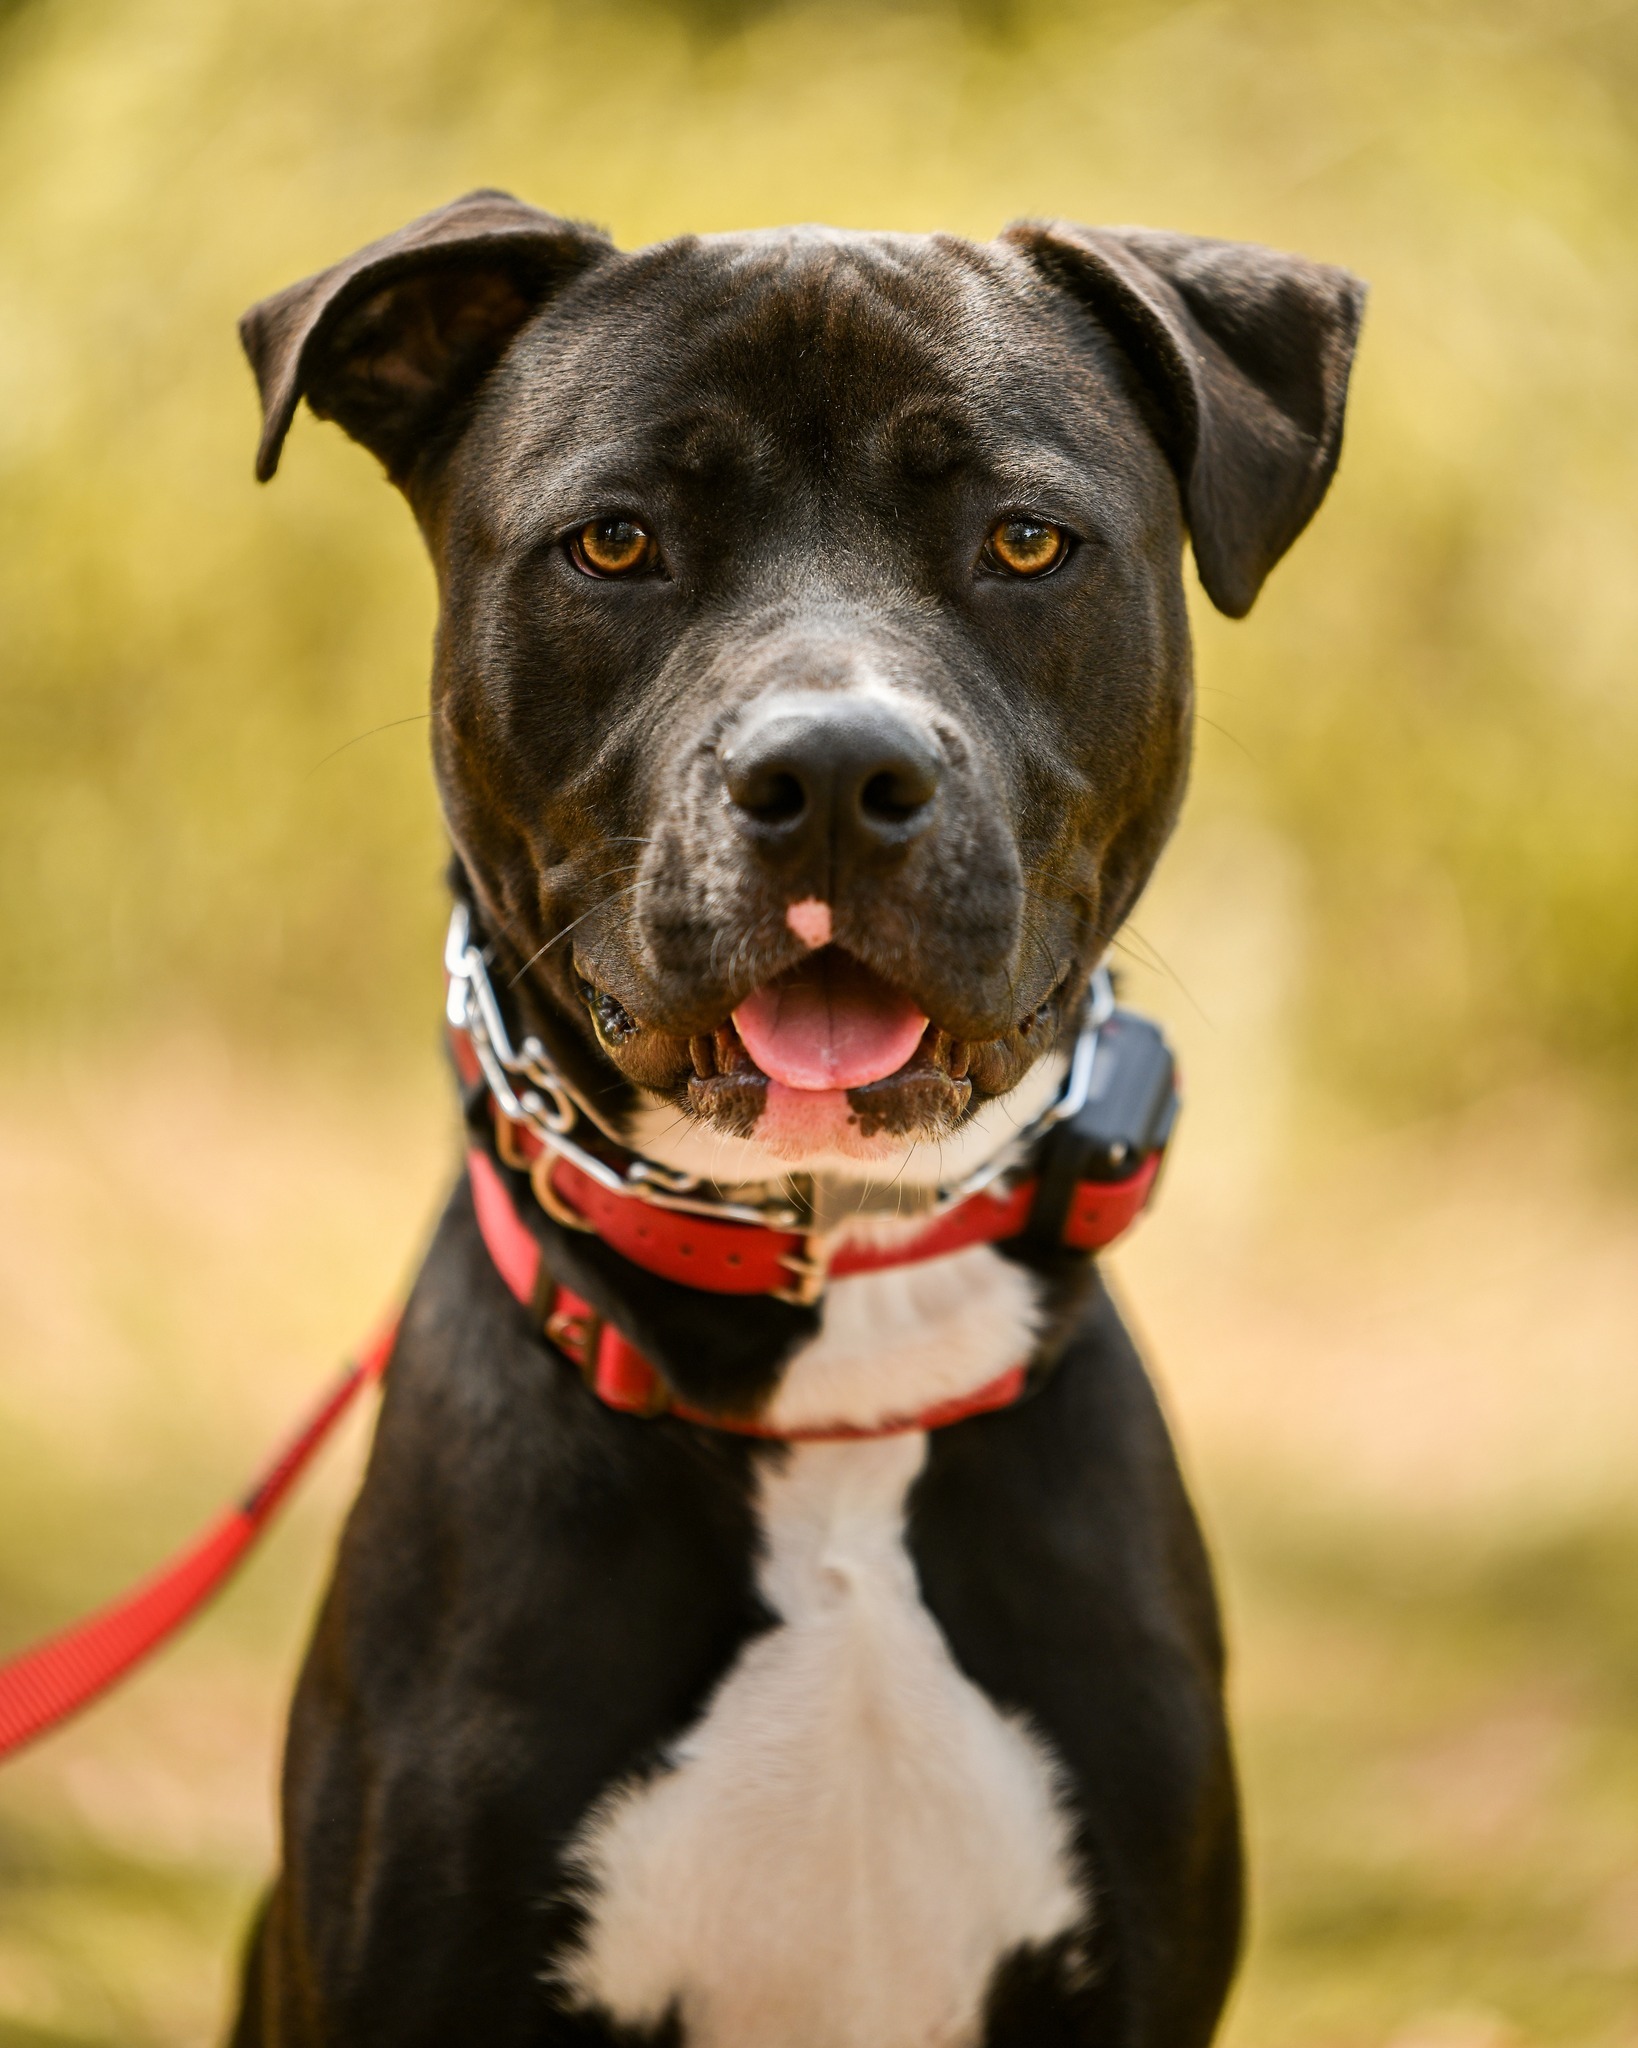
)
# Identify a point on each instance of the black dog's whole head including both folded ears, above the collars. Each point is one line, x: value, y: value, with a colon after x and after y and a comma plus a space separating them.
x: 812, y: 689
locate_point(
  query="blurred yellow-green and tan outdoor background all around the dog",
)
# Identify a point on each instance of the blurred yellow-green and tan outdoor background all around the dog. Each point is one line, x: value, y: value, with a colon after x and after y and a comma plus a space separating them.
x: 1393, y: 1291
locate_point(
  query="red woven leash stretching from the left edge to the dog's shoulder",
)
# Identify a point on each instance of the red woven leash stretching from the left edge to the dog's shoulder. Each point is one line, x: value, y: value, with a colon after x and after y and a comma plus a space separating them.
x: 56, y: 1678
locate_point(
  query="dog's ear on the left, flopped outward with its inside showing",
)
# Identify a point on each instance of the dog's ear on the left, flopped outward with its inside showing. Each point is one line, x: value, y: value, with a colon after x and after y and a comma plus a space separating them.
x: 394, y: 339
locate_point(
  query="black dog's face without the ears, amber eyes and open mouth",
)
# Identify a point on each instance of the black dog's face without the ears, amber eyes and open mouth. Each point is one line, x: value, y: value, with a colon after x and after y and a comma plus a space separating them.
x: 800, y: 589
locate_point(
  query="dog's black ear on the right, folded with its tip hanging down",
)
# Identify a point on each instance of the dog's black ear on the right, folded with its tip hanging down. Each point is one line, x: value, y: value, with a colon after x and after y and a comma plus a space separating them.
x: 1244, y: 355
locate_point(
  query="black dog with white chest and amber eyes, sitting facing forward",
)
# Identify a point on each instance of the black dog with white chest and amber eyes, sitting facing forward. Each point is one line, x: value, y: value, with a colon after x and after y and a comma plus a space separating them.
x: 812, y: 703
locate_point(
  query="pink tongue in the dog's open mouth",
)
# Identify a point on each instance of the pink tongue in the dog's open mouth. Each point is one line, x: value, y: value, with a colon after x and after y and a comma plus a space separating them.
x: 830, y: 1027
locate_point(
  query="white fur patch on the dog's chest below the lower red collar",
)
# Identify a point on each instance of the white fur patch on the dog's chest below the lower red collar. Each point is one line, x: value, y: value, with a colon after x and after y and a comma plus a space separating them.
x: 853, y: 1834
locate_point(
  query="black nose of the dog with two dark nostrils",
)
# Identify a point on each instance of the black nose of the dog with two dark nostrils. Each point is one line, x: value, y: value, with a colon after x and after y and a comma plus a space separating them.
x: 830, y: 777
